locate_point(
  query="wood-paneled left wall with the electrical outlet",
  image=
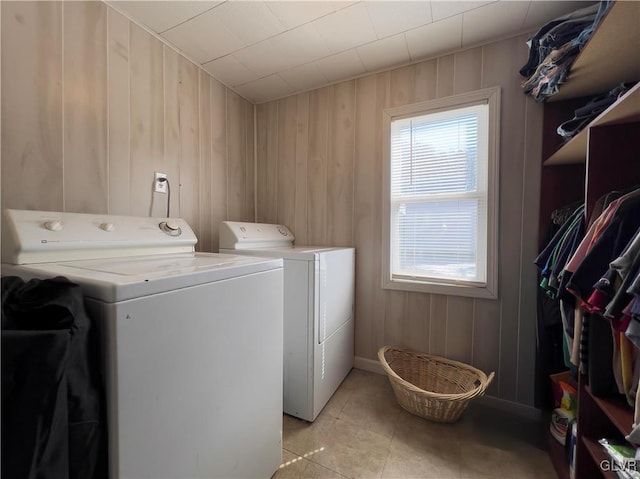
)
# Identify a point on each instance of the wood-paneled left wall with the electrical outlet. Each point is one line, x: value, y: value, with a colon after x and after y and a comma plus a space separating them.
x: 92, y: 105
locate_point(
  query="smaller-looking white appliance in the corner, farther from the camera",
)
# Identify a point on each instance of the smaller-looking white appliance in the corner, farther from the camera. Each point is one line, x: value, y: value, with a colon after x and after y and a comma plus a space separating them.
x: 318, y: 311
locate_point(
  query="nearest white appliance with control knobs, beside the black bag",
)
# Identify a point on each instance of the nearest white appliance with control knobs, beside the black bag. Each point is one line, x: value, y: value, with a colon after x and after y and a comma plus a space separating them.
x: 192, y: 341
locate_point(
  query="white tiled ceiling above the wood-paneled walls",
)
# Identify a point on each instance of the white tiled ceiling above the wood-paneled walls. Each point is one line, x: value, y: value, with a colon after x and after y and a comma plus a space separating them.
x: 271, y: 49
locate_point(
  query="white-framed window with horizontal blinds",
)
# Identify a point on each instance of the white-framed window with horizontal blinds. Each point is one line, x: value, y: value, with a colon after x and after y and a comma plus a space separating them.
x: 441, y: 181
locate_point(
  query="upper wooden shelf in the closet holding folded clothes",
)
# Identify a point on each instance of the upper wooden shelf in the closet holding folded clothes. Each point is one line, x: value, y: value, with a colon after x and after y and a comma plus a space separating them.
x: 604, y: 60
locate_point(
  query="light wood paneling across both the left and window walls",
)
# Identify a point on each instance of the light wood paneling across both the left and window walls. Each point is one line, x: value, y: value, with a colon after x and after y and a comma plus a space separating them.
x: 92, y: 105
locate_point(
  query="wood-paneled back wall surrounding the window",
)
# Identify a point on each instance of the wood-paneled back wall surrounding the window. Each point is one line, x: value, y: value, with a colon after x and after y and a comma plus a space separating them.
x: 319, y: 171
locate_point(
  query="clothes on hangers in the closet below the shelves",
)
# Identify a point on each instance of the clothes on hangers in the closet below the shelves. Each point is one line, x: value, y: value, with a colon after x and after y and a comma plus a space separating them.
x: 597, y: 272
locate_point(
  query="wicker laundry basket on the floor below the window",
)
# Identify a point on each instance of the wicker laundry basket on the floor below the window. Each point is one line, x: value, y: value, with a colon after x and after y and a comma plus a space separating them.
x: 434, y: 388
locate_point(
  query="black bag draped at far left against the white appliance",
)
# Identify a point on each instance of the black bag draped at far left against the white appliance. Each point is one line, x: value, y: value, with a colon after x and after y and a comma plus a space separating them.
x: 53, y: 423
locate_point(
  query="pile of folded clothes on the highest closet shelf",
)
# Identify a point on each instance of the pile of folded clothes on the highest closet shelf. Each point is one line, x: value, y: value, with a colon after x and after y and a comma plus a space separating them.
x: 555, y: 46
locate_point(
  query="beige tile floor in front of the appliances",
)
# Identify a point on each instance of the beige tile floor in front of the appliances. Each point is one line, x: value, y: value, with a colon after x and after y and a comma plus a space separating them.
x: 363, y: 433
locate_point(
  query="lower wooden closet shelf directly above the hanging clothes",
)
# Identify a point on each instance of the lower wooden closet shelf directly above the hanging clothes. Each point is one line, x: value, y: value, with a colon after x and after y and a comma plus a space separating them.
x: 625, y: 110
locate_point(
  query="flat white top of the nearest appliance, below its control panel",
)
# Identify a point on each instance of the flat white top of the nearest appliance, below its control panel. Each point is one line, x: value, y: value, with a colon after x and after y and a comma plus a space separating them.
x: 129, y: 278
